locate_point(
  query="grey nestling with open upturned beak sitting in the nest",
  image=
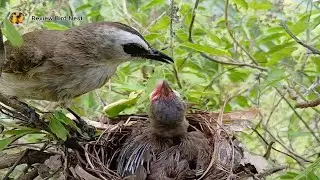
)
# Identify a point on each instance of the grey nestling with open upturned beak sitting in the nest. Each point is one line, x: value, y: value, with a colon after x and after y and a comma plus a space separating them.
x: 165, y: 149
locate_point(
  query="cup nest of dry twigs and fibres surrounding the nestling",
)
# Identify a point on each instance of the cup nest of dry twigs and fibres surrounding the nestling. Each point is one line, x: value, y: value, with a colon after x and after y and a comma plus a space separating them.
x: 227, y: 159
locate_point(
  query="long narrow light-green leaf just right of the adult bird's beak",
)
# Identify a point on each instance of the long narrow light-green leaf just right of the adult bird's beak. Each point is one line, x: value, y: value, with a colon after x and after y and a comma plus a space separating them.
x: 205, y: 49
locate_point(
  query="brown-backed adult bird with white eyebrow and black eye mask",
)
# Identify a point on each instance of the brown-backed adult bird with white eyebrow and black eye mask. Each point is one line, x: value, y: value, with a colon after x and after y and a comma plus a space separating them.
x: 61, y: 65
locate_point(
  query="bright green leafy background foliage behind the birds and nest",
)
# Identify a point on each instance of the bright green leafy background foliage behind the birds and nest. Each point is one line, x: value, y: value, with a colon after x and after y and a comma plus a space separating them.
x: 222, y: 49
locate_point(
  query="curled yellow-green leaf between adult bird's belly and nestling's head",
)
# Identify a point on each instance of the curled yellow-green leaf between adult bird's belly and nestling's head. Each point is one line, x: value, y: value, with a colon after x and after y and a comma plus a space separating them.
x: 115, y: 108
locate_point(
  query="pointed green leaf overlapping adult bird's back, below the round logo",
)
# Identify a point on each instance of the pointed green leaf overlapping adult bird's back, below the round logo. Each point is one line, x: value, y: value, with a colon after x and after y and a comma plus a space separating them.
x: 12, y: 34
